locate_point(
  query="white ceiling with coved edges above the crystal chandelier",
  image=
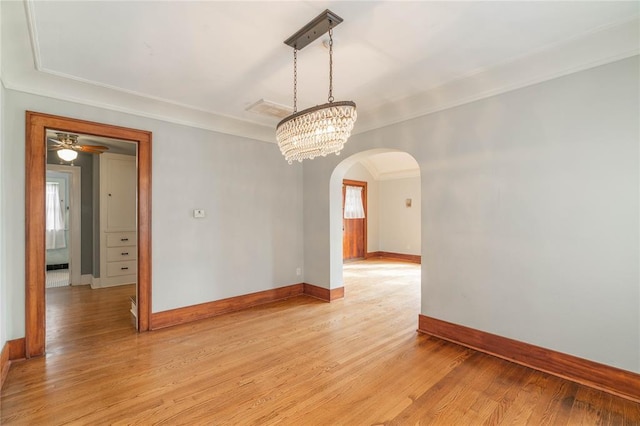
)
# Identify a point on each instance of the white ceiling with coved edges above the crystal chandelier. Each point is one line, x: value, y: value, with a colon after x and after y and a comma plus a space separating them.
x: 203, y: 63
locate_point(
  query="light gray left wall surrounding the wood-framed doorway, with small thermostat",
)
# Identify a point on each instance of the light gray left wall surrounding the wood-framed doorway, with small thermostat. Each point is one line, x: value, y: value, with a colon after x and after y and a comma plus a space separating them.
x: 251, y: 239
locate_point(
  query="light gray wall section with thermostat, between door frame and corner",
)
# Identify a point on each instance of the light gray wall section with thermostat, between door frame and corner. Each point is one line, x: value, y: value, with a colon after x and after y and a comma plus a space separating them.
x: 251, y: 238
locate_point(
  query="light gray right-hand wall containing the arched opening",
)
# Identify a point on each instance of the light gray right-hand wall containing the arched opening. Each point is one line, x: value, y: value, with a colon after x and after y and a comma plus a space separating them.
x: 529, y: 213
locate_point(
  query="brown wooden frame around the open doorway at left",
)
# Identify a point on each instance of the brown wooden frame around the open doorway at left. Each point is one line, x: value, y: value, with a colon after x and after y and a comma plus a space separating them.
x: 35, y: 162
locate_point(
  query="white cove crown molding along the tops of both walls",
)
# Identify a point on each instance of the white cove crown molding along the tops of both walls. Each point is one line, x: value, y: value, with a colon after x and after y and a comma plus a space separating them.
x: 601, y: 46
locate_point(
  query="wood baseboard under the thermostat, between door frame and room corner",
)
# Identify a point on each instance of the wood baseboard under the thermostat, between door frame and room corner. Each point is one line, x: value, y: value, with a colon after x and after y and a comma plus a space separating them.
x: 219, y: 307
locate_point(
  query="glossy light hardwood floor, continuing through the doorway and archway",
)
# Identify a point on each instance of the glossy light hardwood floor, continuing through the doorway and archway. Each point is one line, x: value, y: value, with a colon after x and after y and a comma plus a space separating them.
x: 355, y: 361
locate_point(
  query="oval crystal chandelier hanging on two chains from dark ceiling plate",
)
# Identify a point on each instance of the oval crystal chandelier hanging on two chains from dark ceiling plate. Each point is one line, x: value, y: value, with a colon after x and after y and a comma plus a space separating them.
x: 322, y: 129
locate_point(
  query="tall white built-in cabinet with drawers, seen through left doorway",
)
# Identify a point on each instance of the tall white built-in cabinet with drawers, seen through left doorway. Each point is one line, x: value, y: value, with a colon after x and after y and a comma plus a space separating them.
x: 118, y: 226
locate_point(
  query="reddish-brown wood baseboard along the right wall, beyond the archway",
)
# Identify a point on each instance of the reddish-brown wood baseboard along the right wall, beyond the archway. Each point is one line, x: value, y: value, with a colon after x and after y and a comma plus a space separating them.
x: 613, y: 380
